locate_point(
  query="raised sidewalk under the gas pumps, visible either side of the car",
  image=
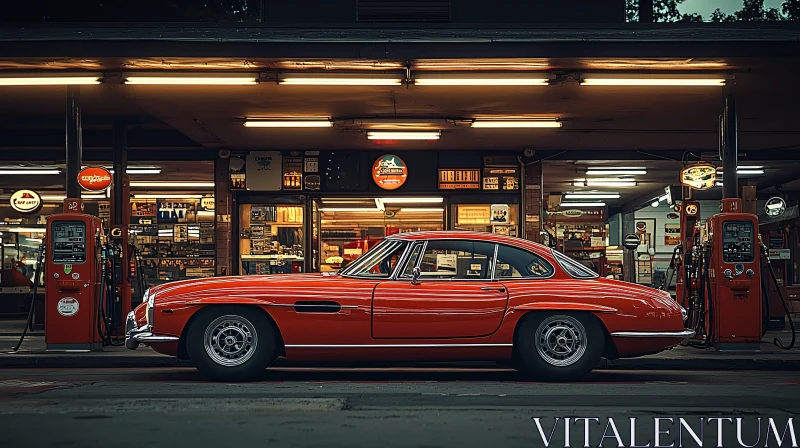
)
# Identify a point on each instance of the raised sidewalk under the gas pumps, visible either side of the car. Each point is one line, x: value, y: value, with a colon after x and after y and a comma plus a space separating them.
x: 33, y: 354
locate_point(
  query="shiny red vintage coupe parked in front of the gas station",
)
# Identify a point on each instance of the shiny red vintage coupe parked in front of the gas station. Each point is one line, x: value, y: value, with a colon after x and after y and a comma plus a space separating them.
x: 428, y: 296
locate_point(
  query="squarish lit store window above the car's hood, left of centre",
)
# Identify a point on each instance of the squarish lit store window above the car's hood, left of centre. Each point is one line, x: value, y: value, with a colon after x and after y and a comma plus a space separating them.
x: 271, y: 239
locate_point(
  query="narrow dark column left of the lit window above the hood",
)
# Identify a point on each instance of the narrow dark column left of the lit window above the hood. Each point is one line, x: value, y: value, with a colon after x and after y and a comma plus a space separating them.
x: 222, y: 217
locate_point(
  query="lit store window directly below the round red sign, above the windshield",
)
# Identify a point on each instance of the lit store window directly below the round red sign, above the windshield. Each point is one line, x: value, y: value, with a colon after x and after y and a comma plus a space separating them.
x: 349, y: 227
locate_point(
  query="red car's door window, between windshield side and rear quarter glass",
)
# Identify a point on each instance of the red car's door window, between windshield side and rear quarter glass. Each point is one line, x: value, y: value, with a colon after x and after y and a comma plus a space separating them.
x: 457, y: 260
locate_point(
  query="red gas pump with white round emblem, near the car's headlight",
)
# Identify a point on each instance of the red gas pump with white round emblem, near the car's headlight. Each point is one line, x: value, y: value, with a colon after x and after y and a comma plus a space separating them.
x: 72, y: 279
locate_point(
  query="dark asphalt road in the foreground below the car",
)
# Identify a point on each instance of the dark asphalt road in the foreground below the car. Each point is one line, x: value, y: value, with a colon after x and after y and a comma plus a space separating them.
x: 421, y: 408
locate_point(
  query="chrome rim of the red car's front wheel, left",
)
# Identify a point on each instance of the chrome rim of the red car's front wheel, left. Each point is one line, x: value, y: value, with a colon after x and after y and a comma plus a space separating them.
x: 230, y: 340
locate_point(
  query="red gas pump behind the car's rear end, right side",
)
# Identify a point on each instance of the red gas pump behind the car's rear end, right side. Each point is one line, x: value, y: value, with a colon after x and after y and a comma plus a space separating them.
x: 733, y: 277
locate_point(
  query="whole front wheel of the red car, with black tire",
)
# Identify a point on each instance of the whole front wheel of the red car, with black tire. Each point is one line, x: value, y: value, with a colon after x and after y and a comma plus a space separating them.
x: 234, y: 364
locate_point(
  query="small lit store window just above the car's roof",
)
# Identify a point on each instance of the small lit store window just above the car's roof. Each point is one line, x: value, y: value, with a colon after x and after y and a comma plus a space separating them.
x: 501, y: 219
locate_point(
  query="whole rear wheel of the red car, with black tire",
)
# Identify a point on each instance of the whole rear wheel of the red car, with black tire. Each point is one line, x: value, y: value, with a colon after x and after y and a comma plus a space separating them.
x: 538, y: 364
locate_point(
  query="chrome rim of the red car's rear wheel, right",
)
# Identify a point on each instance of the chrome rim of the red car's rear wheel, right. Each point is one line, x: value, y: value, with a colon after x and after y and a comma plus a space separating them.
x: 561, y: 340
